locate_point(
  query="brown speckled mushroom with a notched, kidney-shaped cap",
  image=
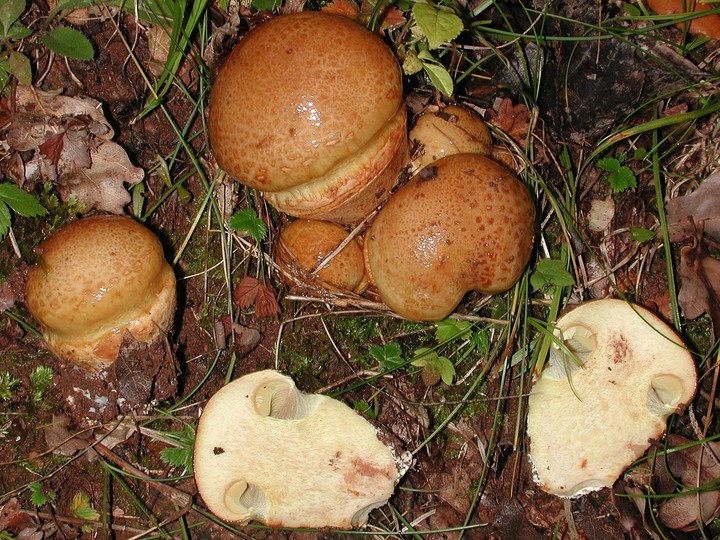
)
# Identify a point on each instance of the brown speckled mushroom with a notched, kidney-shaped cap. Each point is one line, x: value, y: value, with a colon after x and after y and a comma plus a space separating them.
x: 463, y: 223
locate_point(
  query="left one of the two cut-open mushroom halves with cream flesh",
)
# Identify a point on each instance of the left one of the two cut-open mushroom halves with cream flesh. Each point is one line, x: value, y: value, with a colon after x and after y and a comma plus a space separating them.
x: 265, y: 451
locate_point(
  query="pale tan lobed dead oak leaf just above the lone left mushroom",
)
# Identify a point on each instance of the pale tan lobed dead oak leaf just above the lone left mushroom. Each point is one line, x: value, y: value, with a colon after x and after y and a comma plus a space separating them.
x: 102, y: 186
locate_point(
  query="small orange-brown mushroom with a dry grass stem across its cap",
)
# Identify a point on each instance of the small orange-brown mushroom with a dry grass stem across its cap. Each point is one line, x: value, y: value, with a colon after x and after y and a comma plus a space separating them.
x: 305, y: 243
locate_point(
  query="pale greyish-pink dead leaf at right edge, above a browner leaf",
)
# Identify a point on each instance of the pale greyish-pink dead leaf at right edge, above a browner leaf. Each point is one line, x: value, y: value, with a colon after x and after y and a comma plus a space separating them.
x: 703, y: 204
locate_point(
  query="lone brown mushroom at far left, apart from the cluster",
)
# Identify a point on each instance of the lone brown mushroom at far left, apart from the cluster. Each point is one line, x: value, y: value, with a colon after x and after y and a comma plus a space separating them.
x: 97, y: 279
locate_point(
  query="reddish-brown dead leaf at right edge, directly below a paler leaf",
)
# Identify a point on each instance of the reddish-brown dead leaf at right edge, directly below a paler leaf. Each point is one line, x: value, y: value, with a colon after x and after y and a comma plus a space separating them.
x: 699, y: 281
